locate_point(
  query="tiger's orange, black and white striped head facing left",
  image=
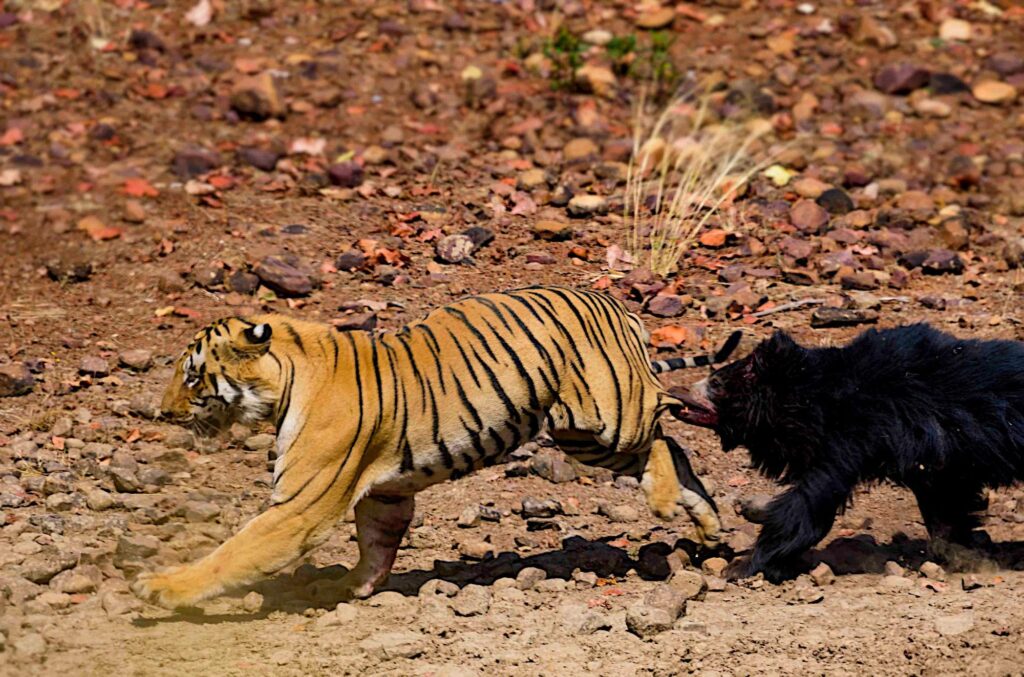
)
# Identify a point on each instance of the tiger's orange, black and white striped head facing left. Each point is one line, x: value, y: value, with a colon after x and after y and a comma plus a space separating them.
x: 228, y: 374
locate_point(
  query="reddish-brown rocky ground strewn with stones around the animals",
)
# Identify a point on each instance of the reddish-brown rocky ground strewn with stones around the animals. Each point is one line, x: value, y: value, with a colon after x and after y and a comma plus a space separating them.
x: 165, y: 163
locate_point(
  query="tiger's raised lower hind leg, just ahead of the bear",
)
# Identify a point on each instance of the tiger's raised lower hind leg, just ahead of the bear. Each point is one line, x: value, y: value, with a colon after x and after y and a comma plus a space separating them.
x: 669, y: 482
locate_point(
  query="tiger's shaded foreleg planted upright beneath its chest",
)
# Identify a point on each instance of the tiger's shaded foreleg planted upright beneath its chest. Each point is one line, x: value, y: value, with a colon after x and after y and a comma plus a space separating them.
x: 381, y: 523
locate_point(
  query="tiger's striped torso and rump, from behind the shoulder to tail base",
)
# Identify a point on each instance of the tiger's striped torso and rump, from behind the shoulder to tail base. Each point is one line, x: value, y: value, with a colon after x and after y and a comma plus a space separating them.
x: 480, y: 377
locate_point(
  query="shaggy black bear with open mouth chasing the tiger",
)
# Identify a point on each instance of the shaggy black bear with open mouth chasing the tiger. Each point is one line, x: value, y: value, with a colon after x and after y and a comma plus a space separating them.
x: 940, y: 415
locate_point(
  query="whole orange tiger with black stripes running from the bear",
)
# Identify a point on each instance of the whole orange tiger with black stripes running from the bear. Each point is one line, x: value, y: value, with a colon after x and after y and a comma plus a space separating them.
x: 367, y: 421
